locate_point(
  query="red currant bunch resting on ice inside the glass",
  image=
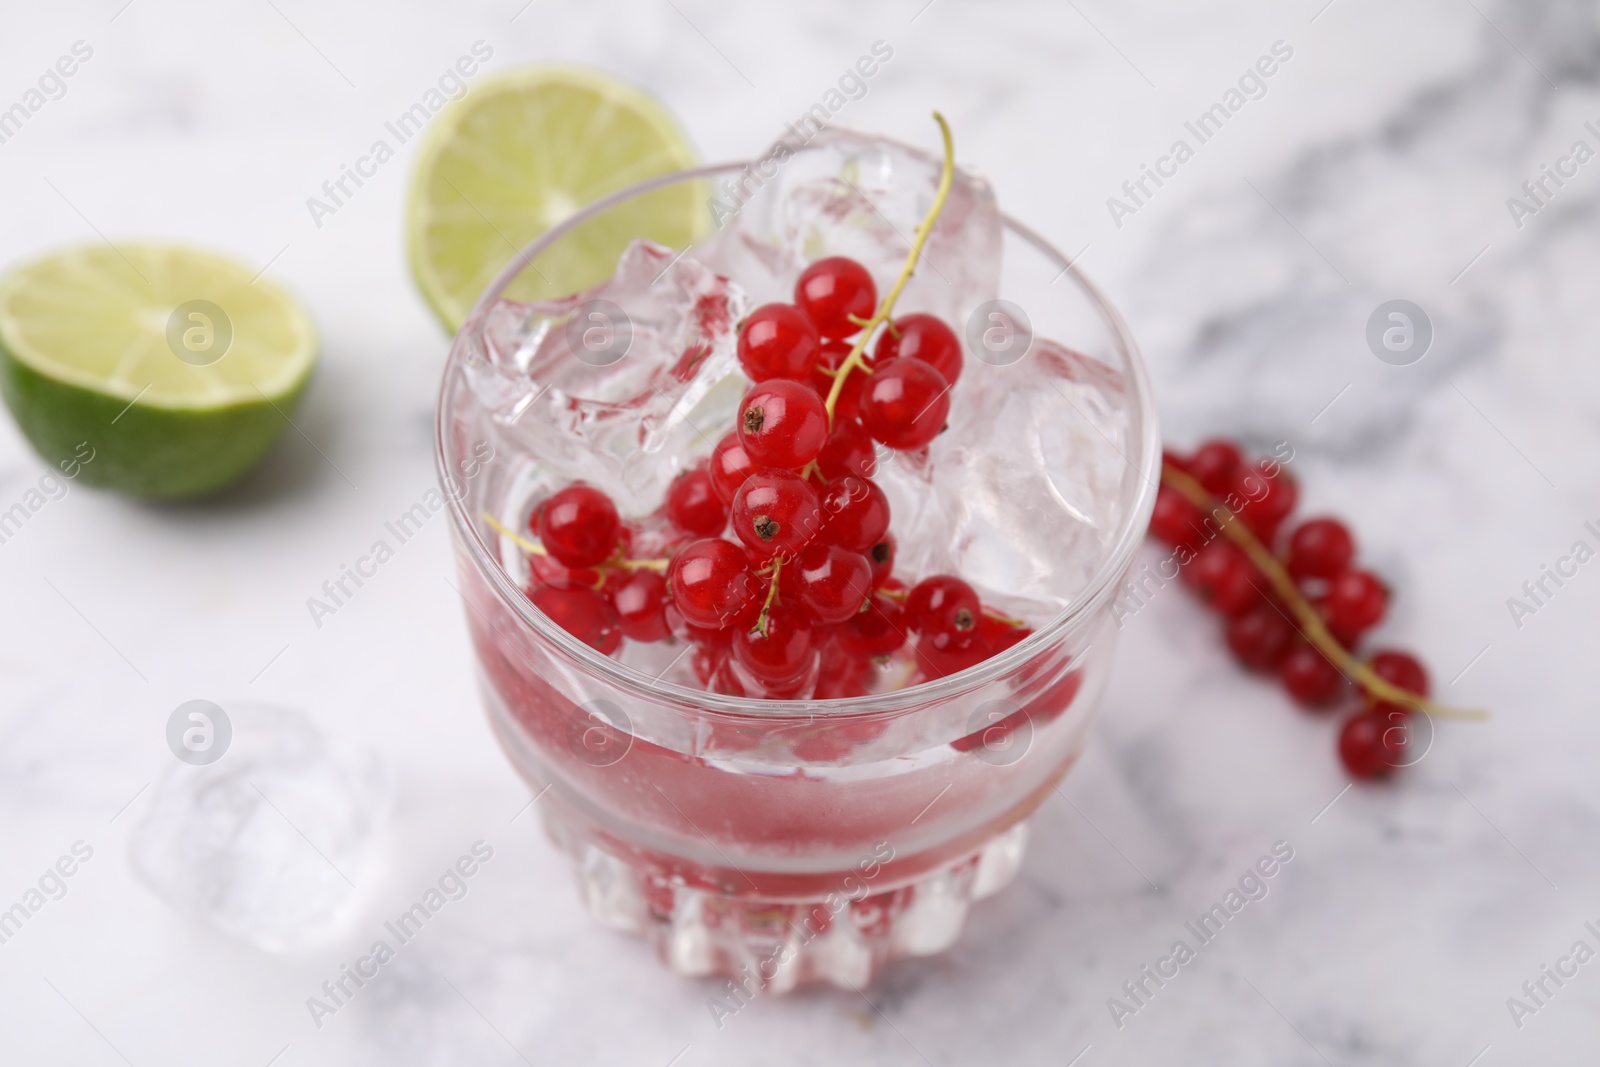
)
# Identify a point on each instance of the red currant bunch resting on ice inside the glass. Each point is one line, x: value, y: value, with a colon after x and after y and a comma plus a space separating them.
x: 778, y: 562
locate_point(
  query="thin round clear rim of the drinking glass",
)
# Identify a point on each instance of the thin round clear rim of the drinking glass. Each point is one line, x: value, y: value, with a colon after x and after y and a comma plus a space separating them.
x: 1097, y: 591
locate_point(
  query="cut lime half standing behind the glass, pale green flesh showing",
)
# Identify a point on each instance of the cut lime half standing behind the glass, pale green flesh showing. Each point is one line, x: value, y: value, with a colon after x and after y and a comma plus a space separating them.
x: 521, y: 154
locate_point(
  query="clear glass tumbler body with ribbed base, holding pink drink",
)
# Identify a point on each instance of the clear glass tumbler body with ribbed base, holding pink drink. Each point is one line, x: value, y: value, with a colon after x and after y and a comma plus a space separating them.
x: 780, y: 842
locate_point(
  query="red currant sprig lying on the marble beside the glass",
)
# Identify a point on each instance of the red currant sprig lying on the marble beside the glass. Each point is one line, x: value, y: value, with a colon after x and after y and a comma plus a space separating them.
x: 1319, y: 562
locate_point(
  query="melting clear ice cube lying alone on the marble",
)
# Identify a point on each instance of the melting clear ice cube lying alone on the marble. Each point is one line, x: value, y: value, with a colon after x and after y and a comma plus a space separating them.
x: 271, y: 842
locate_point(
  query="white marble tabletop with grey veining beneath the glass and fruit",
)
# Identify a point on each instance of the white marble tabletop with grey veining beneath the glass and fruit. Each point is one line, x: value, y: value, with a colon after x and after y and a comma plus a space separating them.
x: 1378, y: 166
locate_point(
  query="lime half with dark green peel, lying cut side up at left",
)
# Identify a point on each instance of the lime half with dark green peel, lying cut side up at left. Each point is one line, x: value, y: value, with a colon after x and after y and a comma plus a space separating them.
x: 148, y: 369
